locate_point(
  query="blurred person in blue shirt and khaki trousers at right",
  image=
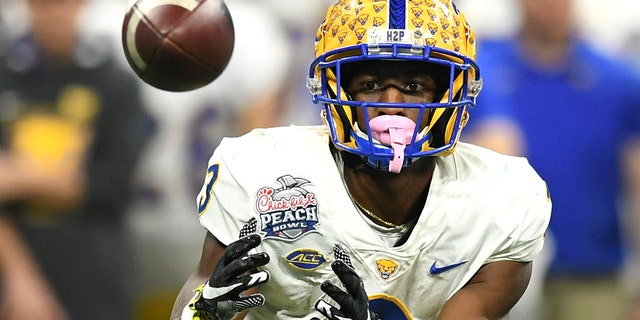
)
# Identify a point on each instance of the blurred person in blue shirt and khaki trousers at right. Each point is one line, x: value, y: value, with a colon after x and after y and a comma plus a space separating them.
x: 575, y: 113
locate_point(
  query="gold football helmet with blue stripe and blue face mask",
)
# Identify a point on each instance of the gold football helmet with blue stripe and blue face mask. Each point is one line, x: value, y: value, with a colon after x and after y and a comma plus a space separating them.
x: 430, y: 31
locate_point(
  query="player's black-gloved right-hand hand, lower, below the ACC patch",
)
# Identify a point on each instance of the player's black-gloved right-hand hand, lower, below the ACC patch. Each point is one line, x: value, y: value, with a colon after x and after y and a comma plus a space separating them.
x: 354, y: 302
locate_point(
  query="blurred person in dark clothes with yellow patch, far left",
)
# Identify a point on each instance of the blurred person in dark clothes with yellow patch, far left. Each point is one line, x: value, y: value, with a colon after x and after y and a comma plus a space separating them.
x: 71, y: 129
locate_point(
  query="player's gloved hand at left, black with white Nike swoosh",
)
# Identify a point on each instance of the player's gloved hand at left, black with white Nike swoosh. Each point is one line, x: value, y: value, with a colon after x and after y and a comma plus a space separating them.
x: 233, y: 274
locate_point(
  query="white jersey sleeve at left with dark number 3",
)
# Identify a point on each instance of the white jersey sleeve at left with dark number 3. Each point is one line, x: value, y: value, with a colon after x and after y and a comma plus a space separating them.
x: 223, y: 204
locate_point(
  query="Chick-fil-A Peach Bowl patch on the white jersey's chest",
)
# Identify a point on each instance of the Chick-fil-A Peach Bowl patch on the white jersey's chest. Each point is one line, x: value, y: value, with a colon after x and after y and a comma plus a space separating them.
x: 287, y: 212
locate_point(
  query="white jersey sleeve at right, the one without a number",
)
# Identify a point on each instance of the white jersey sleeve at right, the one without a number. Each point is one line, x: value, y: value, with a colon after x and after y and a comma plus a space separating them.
x: 526, y: 220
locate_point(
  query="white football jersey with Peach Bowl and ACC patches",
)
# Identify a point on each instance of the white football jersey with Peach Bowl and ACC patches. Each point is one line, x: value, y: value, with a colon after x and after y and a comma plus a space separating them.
x: 283, y: 184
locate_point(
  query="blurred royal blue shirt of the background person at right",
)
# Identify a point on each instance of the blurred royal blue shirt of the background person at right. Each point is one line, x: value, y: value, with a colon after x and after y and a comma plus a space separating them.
x: 574, y: 121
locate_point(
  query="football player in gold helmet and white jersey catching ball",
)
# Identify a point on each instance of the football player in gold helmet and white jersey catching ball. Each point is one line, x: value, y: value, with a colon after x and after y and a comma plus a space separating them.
x: 380, y: 213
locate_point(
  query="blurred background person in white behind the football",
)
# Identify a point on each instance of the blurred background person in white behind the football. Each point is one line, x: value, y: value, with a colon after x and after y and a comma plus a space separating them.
x: 248, y: 94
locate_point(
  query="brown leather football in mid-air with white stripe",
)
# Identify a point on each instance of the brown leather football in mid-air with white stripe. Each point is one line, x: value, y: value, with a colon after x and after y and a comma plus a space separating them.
x: 178, y: 45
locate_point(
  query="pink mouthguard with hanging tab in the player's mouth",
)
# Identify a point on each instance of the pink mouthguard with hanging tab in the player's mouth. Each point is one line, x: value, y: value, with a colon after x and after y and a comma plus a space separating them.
x: 396, y: 132
